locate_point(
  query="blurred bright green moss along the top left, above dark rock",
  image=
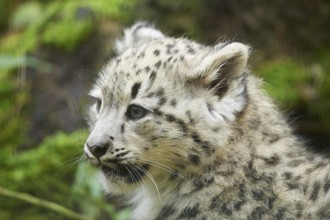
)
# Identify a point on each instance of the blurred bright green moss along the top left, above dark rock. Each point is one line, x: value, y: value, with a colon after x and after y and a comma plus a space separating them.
x: 63, y: 24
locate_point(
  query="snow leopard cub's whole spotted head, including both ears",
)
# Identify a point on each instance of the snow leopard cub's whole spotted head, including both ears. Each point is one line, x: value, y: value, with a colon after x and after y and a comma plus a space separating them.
x: 163, y: 107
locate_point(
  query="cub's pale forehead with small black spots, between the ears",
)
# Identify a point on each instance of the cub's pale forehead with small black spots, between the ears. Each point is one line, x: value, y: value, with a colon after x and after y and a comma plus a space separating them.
x: 162, y: 58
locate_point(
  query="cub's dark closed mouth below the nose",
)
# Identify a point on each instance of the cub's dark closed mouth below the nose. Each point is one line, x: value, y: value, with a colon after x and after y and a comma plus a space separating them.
x: 132, y: 173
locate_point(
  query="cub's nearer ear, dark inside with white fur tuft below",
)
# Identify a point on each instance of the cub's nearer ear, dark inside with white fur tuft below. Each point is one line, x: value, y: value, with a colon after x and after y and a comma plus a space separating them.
x: 223, y: 72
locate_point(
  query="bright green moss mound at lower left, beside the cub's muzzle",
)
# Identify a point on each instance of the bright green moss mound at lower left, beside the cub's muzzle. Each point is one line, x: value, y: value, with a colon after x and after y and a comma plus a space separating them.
x: 44, y: 171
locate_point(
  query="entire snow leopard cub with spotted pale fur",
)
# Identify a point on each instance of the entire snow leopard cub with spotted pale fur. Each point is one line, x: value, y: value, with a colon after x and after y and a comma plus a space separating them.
x: 184, y: 131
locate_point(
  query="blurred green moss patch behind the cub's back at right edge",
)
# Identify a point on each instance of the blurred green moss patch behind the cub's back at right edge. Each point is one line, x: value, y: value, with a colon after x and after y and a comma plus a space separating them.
x: 295, y: 86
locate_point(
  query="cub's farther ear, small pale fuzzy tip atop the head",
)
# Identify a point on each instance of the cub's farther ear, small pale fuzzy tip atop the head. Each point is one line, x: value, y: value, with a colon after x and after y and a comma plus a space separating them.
x: 139, y: 33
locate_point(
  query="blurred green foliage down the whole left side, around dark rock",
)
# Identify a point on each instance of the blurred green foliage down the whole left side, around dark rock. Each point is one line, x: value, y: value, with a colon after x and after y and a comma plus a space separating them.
x: 54, y: 170
